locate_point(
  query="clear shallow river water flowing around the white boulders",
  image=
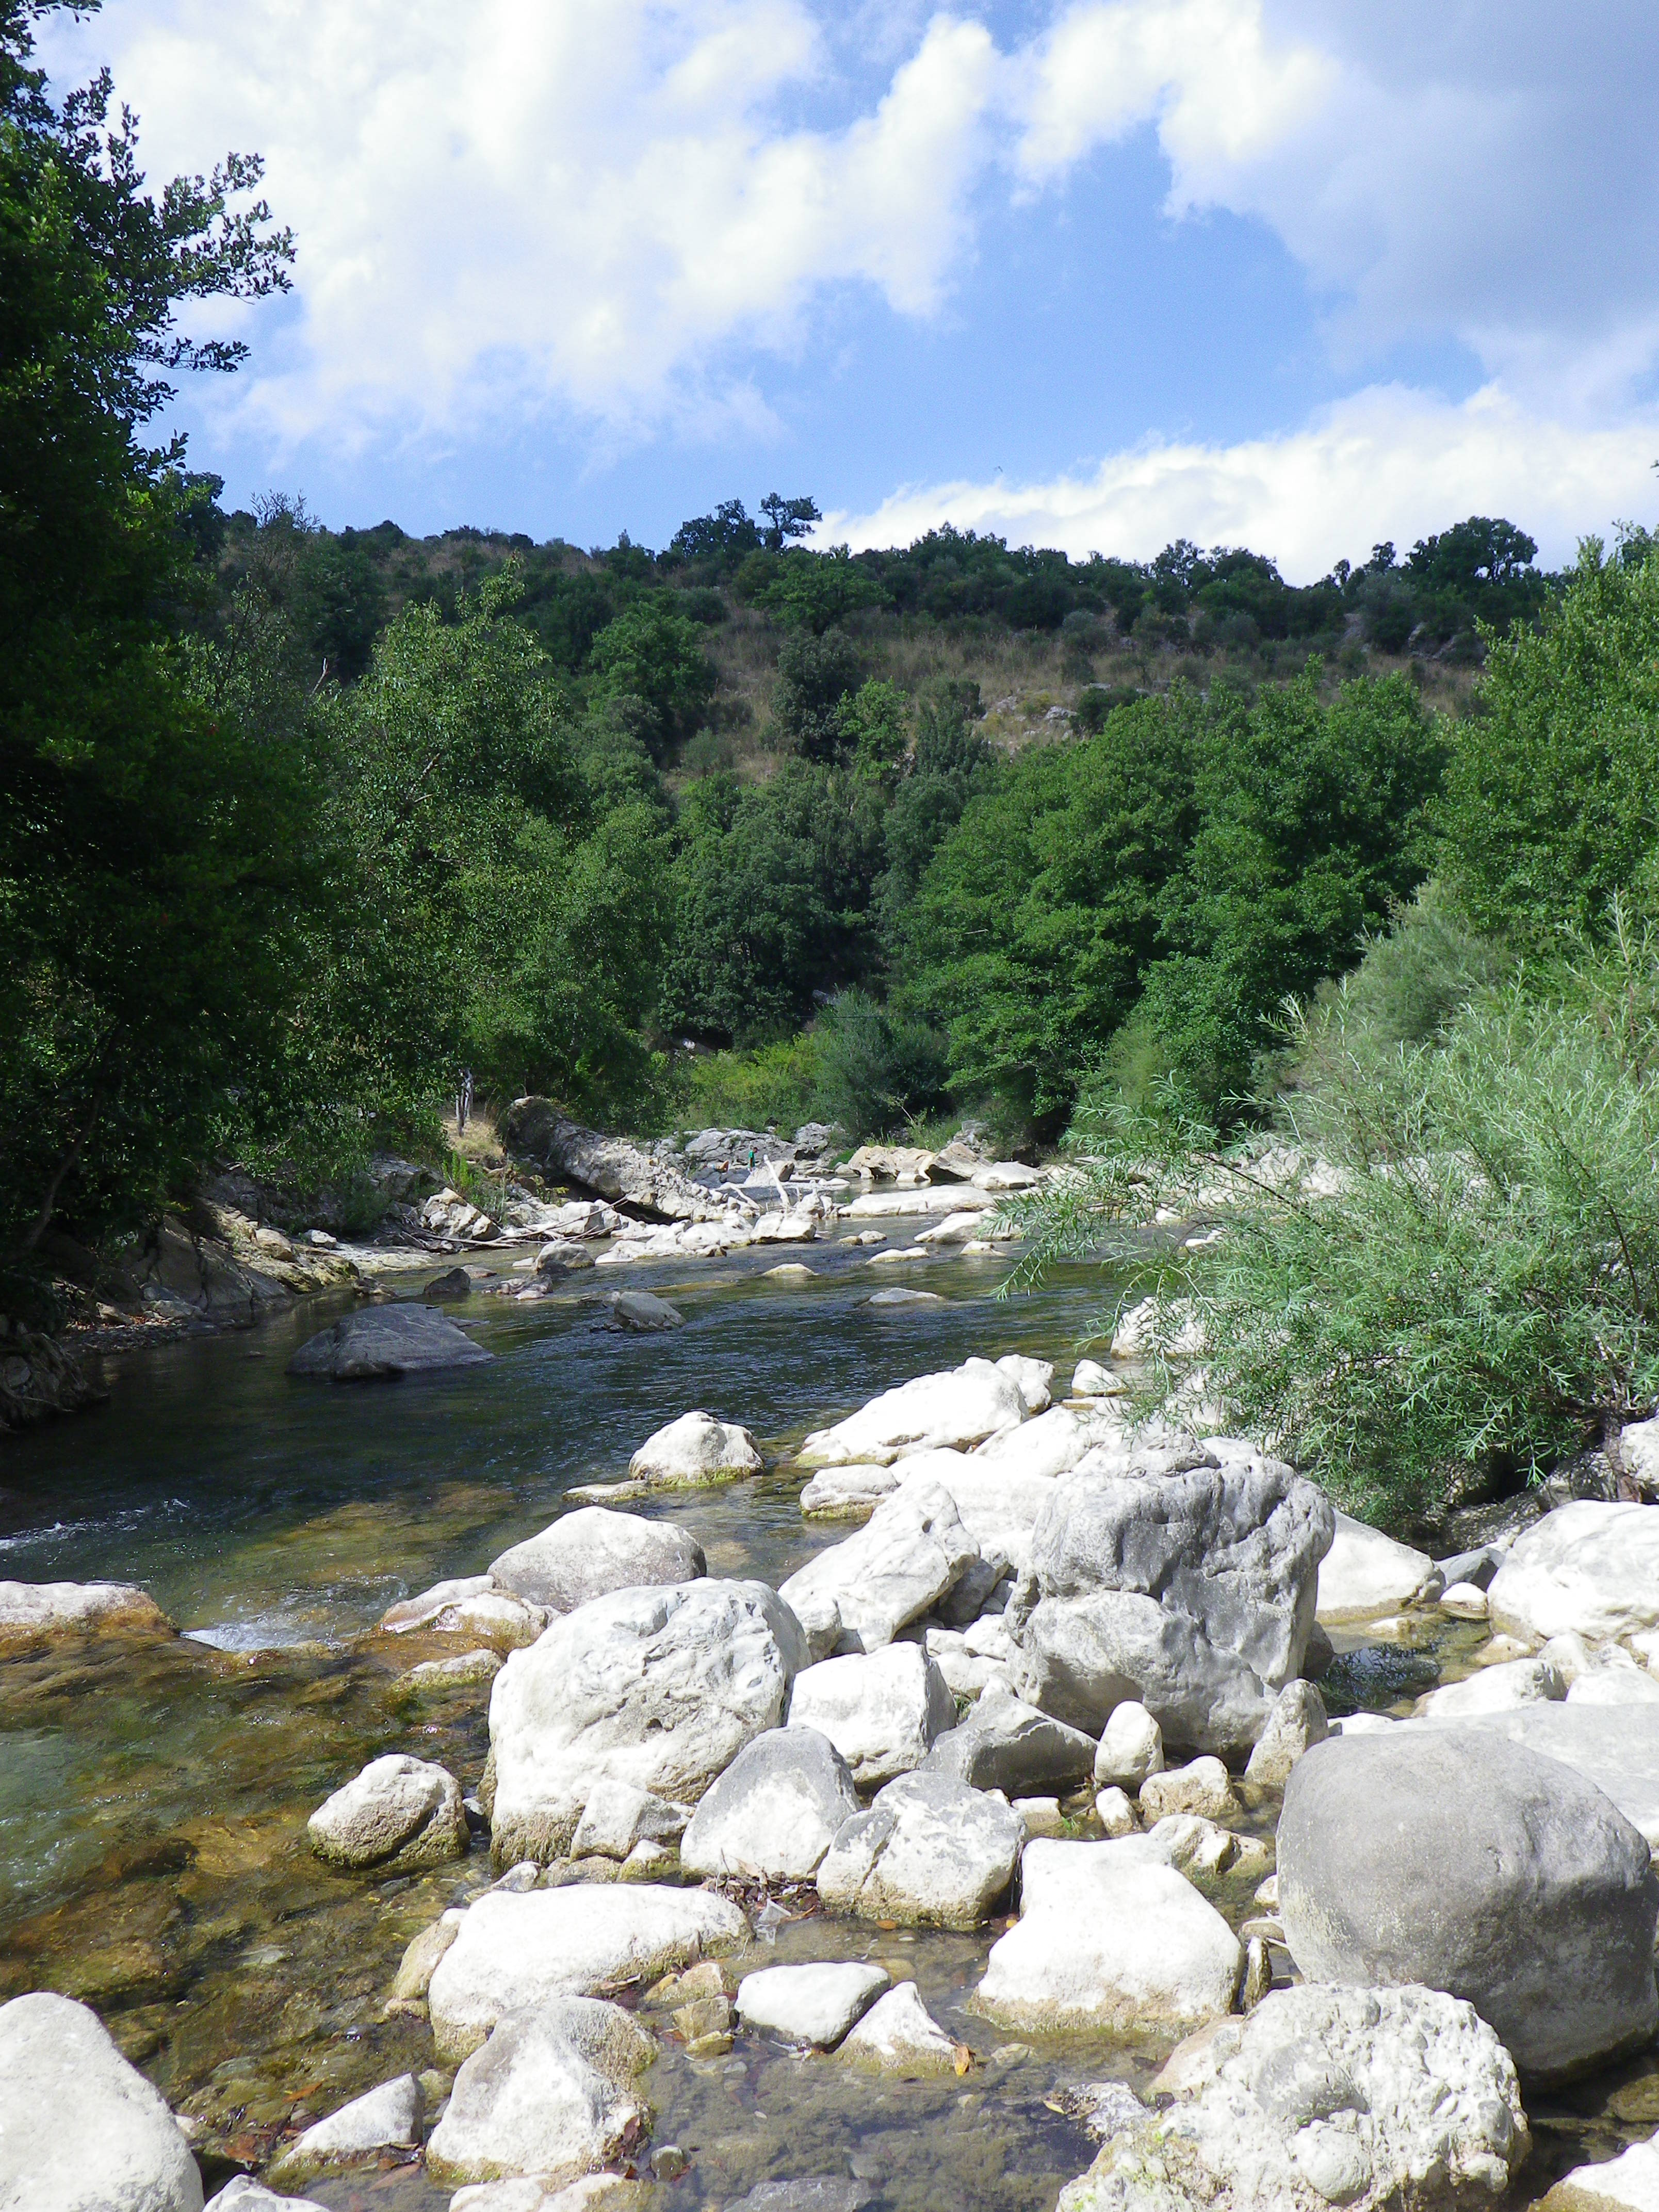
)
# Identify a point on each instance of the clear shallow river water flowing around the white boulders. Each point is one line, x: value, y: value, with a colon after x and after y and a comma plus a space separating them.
x: 154, y: 1797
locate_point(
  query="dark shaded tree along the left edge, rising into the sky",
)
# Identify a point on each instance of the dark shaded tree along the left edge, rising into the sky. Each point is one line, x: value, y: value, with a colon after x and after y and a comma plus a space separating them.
x: 152, y: 853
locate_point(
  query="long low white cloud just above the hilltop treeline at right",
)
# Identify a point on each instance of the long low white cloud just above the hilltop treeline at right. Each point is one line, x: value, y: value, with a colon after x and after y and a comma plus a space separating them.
x: 1373, y: 466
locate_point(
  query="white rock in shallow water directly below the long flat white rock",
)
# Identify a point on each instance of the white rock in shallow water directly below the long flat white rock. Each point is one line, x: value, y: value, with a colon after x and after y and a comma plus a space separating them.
x: 550, y: 2096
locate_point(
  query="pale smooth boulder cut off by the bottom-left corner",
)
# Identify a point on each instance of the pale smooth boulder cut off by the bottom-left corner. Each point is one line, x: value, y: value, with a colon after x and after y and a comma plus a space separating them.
x: 83, y: 2131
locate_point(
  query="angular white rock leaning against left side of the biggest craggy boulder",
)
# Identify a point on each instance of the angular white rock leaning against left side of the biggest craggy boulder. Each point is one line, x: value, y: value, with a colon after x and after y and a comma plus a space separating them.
x: 901, y: 1563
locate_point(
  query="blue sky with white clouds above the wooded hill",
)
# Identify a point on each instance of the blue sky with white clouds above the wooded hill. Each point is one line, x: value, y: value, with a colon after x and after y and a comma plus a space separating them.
x: 1098, y: 273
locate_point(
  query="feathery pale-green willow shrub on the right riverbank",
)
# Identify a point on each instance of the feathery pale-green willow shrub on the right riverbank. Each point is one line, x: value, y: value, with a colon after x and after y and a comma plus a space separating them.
x: 1448, y: 1275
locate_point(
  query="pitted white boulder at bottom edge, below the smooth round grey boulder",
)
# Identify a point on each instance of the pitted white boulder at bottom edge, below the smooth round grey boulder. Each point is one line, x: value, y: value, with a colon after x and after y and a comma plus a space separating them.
x: 1381, y: 2100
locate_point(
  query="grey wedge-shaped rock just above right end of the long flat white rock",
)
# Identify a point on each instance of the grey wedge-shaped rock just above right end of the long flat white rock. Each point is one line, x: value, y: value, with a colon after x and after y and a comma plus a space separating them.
x: 773, y: 1813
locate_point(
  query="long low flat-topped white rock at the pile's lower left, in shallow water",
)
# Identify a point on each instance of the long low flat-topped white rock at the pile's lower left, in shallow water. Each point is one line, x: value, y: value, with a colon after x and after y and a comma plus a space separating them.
x: 521, y: 1948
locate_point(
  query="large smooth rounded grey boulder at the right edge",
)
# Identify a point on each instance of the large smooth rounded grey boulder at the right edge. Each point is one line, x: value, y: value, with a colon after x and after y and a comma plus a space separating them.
x: 1472, y: 1866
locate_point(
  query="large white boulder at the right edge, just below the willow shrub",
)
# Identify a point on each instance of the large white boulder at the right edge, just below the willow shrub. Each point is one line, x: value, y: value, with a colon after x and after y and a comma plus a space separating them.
x: 1587, y: 1569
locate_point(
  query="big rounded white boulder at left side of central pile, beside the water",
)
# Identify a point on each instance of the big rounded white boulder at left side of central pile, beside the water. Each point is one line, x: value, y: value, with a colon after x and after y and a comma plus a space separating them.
x: 660, y: 1689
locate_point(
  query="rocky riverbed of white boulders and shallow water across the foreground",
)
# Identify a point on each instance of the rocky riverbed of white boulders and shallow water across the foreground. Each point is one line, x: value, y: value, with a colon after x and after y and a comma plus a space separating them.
x: 884, y: 1780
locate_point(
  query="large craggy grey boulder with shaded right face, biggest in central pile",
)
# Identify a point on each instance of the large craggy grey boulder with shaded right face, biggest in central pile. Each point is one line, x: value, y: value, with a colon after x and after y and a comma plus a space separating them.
x: 1189, y: 1589
